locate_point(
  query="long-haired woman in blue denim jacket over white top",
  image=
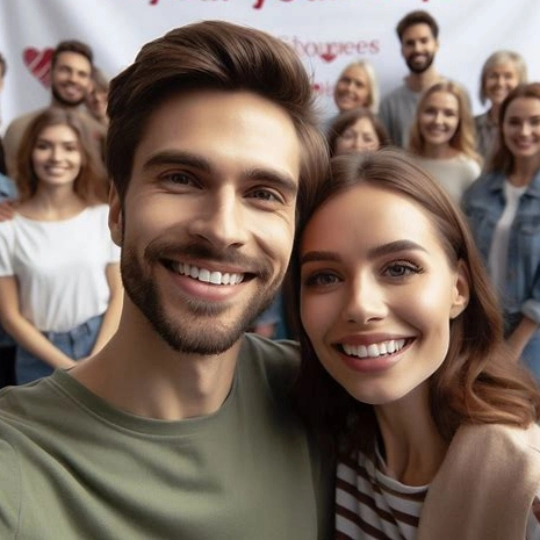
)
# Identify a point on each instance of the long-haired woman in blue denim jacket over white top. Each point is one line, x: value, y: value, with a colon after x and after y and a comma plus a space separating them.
x: 503, y: 207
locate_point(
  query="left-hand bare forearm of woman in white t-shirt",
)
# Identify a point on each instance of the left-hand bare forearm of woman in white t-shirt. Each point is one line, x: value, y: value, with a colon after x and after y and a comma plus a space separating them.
x: 23, y: 331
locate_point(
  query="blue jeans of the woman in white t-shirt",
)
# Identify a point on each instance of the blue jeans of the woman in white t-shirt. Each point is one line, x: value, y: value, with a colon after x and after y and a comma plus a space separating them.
x: 77, y: 343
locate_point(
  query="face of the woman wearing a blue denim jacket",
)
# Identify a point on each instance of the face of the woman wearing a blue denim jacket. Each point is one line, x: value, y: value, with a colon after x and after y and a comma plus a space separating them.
x: 521, y: 127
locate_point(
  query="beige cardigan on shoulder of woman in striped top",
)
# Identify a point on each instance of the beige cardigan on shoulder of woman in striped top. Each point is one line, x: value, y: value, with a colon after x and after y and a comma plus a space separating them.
x: 485, y: 487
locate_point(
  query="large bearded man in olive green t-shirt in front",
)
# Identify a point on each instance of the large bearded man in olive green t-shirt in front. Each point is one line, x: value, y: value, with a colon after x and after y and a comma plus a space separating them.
x: 182, y: 427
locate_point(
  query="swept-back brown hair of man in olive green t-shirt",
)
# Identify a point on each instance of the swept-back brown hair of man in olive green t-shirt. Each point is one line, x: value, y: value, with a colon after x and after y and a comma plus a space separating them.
x: 212, y: 55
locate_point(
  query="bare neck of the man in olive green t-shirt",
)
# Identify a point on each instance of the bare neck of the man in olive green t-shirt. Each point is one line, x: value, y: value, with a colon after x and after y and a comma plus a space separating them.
x: 139, y: 373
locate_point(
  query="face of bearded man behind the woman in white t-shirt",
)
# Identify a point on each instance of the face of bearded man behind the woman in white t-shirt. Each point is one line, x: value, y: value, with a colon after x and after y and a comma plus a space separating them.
x: 71, y: 79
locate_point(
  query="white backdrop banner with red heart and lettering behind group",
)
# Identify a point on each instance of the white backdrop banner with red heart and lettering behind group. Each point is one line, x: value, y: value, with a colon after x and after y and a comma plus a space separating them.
x: 328, y: 34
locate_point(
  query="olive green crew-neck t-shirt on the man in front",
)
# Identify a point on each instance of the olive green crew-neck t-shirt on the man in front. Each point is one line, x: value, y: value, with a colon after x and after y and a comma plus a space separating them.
x: 73, y: 467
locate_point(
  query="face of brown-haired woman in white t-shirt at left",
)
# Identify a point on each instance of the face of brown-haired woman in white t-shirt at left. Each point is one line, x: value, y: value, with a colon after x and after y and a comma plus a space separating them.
x: 56, y: 156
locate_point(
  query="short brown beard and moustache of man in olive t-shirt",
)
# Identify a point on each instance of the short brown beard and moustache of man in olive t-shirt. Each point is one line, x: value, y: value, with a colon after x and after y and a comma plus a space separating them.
x: 193, y: 333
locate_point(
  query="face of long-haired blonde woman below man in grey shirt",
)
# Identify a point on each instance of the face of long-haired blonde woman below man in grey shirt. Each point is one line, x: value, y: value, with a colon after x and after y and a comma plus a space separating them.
x: 438, y: 118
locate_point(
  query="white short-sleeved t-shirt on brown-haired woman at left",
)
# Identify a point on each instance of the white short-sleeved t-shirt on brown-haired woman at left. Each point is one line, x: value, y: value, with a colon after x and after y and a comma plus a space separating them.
x: 60, y: 267
